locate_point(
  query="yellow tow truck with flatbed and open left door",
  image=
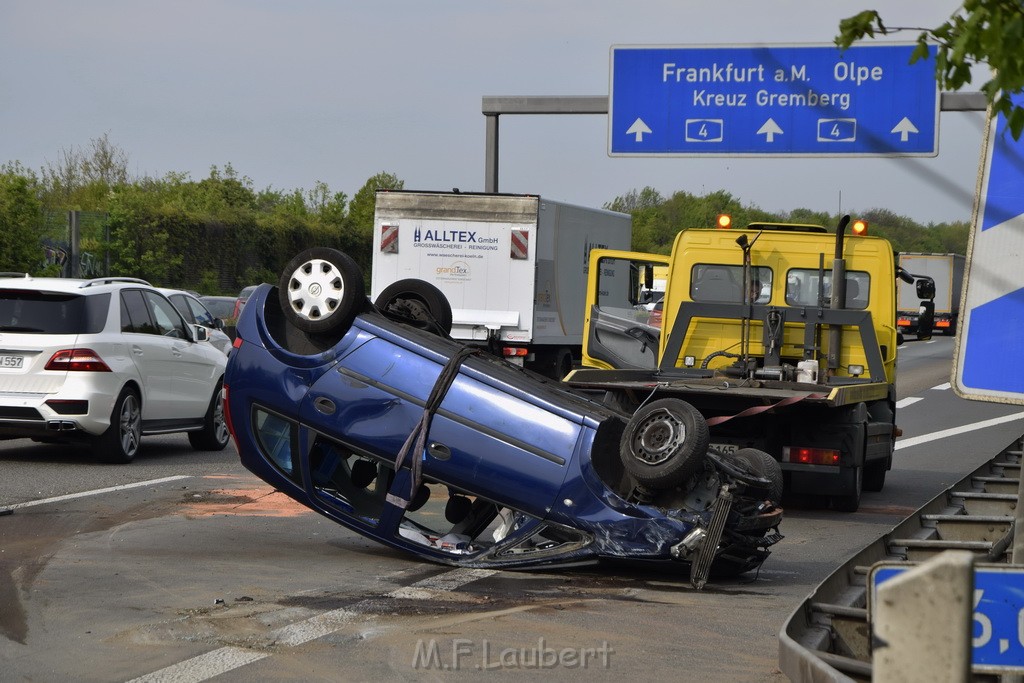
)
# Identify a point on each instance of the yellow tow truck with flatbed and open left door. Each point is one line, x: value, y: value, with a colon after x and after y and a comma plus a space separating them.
x: 774, y: 338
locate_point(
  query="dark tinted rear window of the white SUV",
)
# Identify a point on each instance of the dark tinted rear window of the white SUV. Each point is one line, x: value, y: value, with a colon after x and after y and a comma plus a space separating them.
x: 53, y: 313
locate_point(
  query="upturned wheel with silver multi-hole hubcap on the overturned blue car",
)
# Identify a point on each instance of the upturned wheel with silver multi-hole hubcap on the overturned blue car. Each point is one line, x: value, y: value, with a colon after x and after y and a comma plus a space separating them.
x: 321, y: 291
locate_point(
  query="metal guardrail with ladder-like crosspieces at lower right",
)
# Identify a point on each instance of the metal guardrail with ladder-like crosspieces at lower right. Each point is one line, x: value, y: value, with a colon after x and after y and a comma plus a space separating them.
x: 828, y: 637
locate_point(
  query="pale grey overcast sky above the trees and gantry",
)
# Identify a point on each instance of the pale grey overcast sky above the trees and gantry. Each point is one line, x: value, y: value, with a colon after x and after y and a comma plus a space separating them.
x: 291, y: 93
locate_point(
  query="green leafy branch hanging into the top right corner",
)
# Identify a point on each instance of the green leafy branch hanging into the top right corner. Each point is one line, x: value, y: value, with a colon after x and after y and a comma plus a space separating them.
x: 979, y: 32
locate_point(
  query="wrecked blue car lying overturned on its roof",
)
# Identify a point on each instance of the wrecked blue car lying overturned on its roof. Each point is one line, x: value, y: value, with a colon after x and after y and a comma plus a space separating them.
x: 372, y: 416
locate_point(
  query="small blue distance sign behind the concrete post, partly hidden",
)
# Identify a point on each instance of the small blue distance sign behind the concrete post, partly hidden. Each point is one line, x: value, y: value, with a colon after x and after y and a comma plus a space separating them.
x: 998, y: 619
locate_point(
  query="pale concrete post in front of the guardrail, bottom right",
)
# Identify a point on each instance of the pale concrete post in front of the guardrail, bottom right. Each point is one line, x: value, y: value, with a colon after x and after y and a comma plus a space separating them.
x: 922, y: 624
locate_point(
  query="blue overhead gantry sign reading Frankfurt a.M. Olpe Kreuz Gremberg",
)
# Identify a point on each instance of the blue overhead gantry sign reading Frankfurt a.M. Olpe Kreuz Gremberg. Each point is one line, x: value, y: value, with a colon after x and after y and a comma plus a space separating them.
x: 773, y: 101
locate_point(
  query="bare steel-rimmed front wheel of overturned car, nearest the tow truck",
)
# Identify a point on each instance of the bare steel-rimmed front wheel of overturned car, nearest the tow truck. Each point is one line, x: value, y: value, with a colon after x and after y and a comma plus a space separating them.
x: 664, y: 444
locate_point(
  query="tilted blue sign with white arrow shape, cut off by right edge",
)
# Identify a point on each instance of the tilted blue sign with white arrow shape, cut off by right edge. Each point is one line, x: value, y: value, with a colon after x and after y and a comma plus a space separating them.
x: 992, y: 328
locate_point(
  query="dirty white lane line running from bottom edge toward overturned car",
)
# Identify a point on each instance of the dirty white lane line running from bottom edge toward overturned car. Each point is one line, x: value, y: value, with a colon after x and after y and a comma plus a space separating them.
x: 224, y: 660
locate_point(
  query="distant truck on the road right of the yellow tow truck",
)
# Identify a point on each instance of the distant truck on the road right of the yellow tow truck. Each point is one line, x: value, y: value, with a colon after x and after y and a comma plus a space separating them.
x: 948, y: 272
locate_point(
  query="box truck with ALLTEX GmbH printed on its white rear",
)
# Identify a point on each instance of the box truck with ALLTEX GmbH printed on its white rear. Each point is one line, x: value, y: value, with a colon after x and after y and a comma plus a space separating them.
x: 514, y: 267
